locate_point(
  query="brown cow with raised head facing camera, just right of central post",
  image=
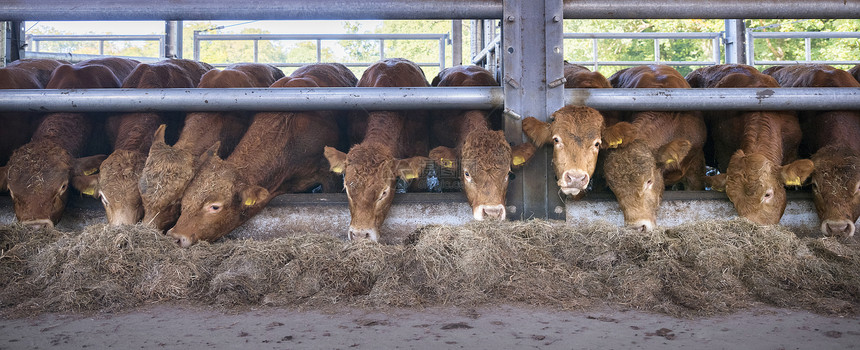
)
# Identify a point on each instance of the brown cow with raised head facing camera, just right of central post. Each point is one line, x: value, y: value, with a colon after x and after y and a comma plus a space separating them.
x: 577, y: 134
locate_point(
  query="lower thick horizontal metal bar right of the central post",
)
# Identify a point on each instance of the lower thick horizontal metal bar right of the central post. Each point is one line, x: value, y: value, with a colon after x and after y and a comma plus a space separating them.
x: 716, y: 99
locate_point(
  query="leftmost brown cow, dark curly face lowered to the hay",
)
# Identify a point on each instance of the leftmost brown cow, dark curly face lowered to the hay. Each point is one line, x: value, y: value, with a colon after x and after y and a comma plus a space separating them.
x: 39, y: 172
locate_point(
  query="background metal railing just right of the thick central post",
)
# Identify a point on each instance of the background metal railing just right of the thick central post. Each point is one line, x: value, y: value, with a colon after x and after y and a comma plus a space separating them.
x: 595, y: 37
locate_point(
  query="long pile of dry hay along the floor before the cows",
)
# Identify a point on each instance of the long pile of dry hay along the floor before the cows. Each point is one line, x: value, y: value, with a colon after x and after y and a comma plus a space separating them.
x: 691, y: 270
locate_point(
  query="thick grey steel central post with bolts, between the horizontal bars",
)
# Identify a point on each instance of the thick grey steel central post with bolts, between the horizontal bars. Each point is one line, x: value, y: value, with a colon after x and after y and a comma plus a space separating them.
x: 532, y: 59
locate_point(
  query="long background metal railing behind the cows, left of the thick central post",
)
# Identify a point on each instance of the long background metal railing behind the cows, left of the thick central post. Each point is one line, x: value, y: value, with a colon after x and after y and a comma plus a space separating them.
x: 318, y: 38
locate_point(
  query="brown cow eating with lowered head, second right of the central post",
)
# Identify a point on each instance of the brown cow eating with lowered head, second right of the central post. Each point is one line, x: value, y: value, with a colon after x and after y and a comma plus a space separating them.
x: 666, y: 149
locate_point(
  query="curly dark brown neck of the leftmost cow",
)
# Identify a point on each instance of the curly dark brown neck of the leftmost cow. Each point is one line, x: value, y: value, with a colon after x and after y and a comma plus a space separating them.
x: 70, y: 131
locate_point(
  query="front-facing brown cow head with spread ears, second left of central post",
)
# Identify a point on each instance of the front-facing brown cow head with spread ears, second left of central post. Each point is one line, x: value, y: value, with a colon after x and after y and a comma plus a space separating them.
x: 369, y: 175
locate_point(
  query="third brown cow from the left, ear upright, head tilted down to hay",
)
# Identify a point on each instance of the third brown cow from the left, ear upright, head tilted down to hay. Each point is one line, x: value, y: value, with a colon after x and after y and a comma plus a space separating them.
x: 169, y: 169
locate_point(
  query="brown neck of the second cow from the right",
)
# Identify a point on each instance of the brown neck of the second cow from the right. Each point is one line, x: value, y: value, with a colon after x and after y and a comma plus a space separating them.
x: 763, y: 134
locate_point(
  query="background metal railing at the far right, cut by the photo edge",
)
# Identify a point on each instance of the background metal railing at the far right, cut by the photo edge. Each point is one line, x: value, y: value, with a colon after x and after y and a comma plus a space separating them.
x: 807, y: 38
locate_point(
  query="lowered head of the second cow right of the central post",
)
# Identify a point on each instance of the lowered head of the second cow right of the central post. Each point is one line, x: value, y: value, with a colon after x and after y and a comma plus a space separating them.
x: 636, y: 175
